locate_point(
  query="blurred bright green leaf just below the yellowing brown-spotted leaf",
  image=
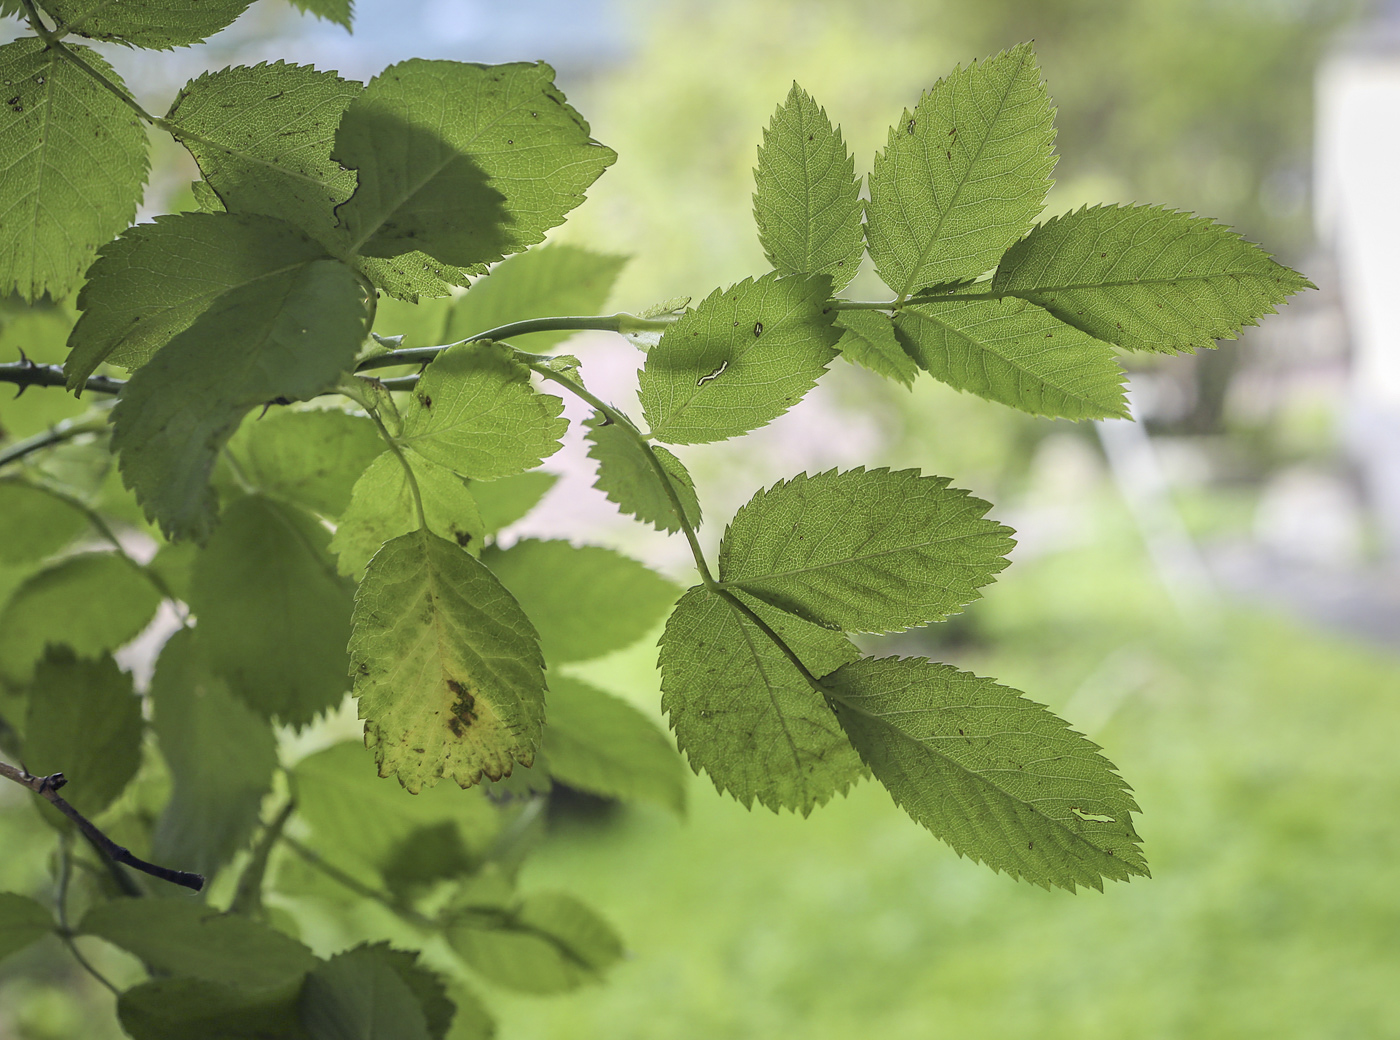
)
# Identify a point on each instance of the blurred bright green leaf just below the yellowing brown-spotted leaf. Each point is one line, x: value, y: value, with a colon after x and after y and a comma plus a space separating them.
x: 360, y: 820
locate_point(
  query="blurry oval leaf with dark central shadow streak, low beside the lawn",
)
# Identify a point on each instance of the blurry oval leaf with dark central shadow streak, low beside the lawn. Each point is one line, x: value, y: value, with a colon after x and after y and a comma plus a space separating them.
x: 549, y: 944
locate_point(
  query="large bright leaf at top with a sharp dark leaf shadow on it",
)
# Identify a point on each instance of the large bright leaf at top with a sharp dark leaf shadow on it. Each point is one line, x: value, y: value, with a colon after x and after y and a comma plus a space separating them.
x: 428, y: 136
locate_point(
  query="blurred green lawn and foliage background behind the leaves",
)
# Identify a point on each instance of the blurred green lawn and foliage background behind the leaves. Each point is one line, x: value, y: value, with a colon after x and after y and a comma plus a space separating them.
x: 1258, y: 743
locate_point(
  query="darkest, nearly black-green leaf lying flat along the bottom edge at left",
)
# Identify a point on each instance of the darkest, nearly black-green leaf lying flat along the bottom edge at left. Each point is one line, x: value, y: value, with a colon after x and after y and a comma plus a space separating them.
x: 184, y: 1009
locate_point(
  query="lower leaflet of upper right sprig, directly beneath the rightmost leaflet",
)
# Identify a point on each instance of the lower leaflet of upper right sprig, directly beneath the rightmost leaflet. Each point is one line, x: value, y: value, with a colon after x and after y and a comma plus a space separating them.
x: 1016, y: 353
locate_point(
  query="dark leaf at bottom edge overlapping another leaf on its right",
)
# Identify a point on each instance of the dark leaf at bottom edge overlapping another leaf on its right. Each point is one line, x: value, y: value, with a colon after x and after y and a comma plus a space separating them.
x: 359, y: 996
